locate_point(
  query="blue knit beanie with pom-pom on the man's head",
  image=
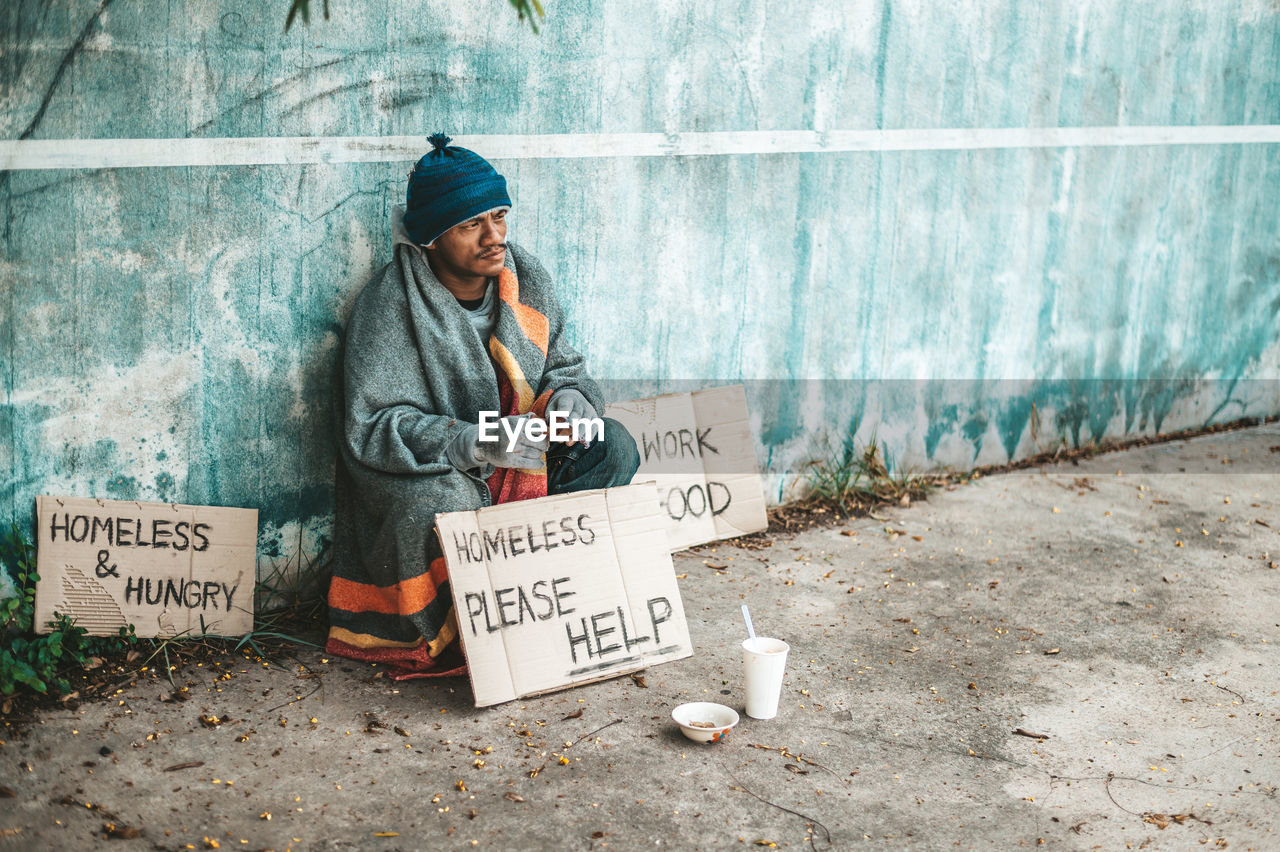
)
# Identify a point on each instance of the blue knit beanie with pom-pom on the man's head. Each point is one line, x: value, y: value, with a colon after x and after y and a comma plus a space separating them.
x: 449, y: 187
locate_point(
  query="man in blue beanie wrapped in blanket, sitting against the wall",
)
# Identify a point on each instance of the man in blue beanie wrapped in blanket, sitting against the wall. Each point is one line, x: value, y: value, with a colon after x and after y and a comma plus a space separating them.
x: 459, y: 327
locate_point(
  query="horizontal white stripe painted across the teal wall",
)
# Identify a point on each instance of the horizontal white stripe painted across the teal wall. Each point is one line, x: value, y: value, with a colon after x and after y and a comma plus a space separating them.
x: 299, y: 150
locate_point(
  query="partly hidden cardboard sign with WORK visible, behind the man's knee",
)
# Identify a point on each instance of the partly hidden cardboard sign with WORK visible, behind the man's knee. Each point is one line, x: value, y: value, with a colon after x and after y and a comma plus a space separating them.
x: 698, y: 448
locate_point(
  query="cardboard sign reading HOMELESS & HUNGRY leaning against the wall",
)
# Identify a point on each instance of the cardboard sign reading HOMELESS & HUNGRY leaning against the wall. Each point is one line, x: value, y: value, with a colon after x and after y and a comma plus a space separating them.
x: 166, y: 569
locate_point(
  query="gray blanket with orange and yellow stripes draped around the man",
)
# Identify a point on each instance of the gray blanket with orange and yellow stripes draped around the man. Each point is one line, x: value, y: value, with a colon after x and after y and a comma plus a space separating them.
x: 415, y: 372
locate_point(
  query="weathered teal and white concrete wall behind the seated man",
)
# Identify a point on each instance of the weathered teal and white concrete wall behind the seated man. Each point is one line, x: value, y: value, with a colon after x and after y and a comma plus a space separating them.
x: 170, y: 333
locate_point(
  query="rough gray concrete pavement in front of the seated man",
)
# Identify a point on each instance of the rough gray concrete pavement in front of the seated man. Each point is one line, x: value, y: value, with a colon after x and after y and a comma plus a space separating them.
x: 1077, y: 657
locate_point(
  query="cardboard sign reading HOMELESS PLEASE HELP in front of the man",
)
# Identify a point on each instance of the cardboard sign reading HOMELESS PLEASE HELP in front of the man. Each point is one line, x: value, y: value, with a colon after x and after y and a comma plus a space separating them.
x: 563, y: 590
